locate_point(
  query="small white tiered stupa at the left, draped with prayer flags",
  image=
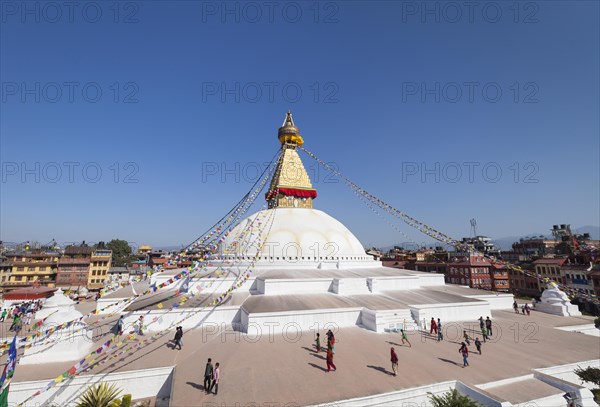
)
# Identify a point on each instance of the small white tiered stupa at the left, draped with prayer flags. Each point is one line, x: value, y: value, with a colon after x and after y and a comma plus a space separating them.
x: 69, y: 343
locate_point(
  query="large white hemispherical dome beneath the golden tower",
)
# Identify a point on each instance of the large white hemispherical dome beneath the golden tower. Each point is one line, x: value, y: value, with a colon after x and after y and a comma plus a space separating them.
x: 296, y: 236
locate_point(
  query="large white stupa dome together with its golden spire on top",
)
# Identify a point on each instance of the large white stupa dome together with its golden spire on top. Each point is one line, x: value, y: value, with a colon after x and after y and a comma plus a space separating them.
x: 298, y: 234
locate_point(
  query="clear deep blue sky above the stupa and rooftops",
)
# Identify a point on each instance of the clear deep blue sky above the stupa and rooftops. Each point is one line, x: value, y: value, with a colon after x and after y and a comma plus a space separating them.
x: 399, y: 95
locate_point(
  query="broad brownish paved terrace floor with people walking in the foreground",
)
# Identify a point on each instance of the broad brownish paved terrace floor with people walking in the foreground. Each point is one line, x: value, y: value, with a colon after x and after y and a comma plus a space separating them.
x: 280, y: 369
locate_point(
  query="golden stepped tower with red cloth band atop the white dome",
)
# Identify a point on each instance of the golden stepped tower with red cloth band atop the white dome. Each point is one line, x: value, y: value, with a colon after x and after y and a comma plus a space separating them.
x: 290, y: 186
